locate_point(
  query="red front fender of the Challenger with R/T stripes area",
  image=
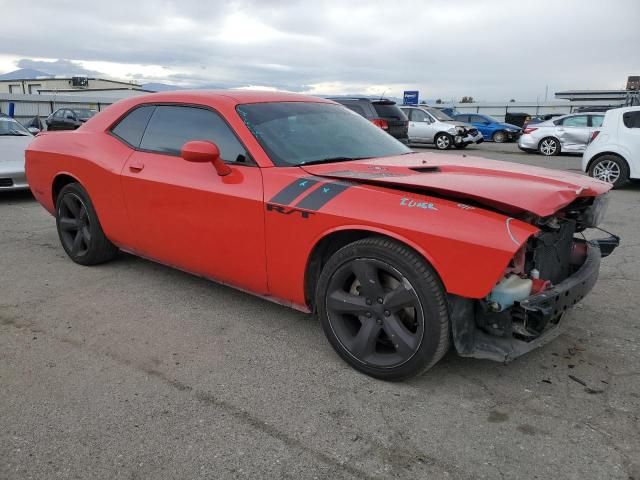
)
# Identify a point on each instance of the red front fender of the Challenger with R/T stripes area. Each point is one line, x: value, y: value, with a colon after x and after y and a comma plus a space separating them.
x: 468, y: 246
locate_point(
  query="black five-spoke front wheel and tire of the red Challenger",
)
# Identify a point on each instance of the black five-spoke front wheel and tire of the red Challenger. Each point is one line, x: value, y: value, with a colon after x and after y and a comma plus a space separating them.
x: 383, y: 309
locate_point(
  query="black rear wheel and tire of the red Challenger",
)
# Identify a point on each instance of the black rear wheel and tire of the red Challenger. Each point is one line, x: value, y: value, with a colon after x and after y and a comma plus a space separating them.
x: 79, y: 228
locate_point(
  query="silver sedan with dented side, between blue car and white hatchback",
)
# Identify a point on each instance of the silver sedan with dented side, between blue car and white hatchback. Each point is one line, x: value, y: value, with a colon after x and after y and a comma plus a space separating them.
x: 569, y: 134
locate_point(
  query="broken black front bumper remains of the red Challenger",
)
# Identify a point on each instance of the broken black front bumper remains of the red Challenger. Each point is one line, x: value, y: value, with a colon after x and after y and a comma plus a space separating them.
x: 513, y: 335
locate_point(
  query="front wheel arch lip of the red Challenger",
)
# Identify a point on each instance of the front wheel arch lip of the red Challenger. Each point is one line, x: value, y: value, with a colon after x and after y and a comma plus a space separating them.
x: 333, y: 240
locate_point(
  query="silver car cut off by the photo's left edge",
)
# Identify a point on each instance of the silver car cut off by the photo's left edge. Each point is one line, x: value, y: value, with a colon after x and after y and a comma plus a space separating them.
x: 14, y: 139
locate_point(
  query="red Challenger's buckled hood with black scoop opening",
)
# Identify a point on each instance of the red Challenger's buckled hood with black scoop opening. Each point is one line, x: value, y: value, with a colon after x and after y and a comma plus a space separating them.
x: 506, y: 186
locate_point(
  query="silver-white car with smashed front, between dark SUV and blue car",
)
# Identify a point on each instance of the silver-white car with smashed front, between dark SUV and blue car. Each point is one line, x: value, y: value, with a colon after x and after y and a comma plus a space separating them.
x: 430, y: 125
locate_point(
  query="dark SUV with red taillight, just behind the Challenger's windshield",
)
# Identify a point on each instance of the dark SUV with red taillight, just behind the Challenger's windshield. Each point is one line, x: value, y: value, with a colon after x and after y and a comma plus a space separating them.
x: 383, y: 113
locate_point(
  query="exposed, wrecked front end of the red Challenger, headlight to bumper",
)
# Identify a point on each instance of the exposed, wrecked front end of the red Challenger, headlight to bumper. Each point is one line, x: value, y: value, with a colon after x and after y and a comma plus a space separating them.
x: 550, y: 274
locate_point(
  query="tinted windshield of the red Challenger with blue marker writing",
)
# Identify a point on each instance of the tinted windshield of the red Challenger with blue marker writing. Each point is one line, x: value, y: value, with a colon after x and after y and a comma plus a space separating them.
x: 295, y: 133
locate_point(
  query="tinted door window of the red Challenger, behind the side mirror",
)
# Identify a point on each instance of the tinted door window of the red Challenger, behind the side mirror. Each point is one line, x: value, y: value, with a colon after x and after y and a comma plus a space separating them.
x: 171, y: 127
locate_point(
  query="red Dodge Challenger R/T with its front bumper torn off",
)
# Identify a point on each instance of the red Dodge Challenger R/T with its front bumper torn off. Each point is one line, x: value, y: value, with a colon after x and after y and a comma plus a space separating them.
x: 301, y: 201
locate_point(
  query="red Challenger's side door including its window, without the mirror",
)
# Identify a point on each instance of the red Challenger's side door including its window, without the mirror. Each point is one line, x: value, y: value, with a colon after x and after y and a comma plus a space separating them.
x: 184, y: 214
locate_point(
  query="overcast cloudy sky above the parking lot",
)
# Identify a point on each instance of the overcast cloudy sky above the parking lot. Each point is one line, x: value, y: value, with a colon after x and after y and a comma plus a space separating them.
x: 491, y: 50
